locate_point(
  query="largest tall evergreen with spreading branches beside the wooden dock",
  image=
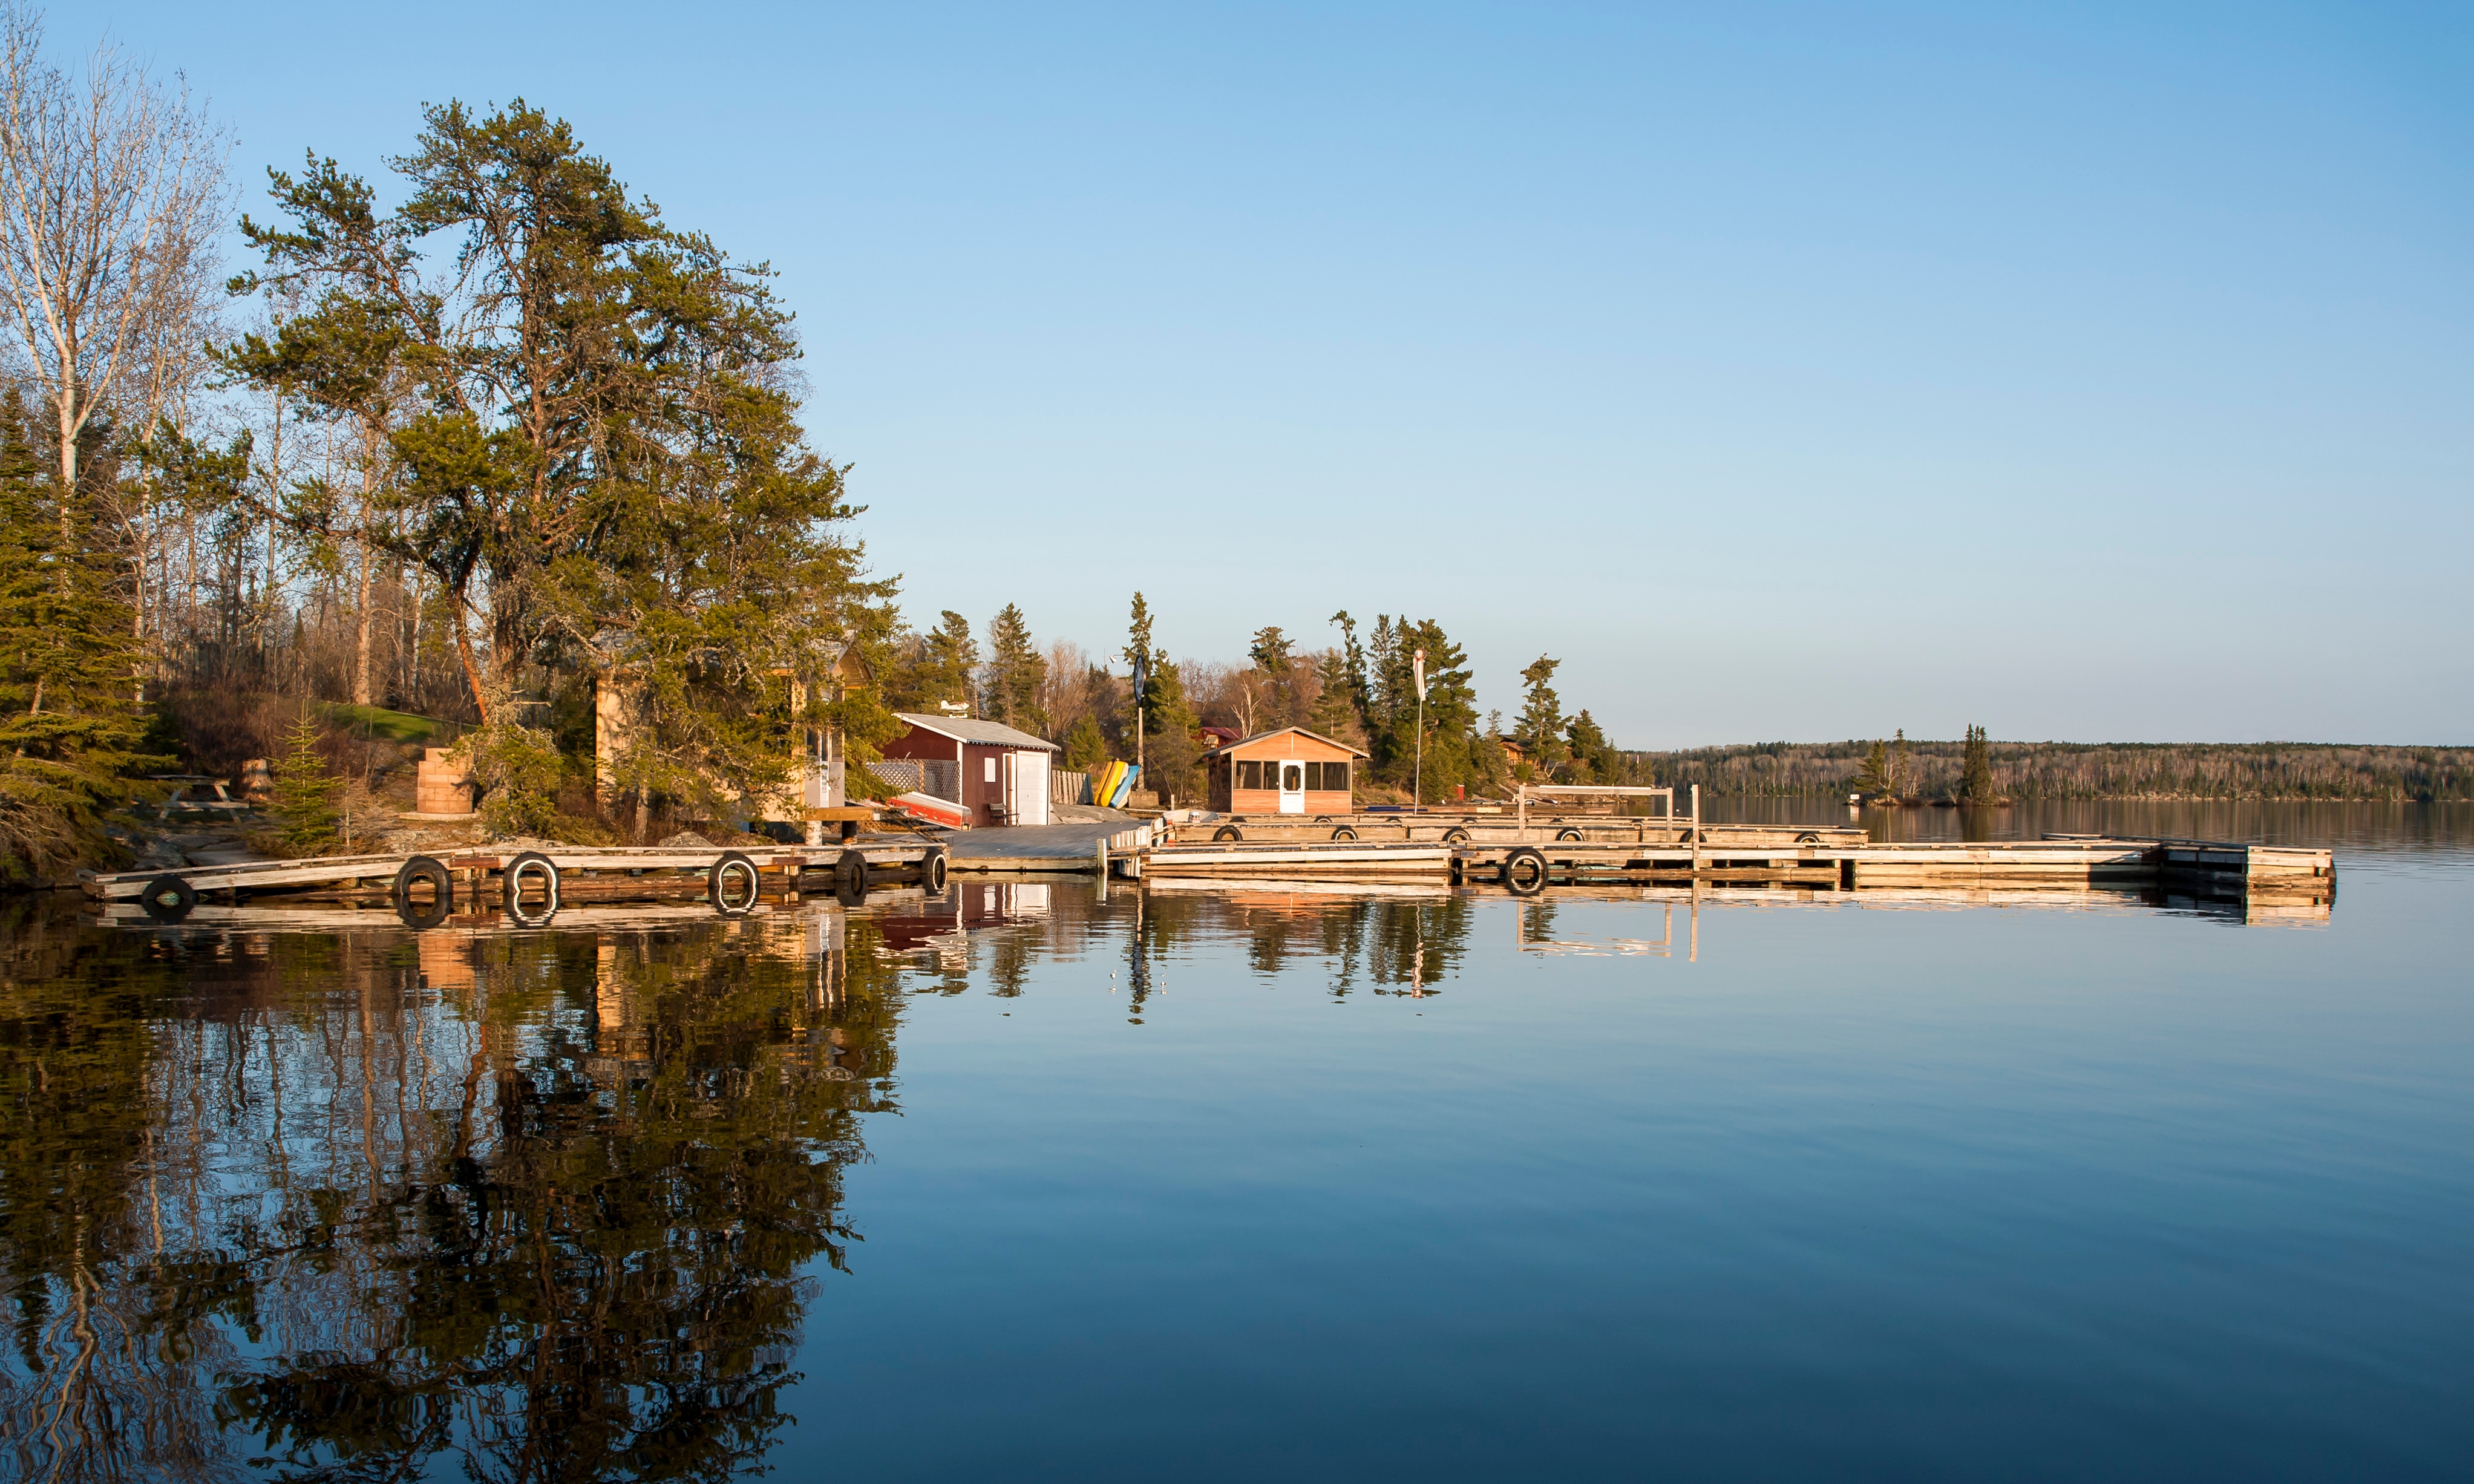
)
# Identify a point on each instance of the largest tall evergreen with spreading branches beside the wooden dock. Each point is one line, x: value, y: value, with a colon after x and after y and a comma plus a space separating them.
x: 600, y: 449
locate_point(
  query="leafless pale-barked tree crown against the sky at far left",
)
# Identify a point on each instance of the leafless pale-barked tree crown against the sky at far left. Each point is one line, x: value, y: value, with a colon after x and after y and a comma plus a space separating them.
x: 113, y: 189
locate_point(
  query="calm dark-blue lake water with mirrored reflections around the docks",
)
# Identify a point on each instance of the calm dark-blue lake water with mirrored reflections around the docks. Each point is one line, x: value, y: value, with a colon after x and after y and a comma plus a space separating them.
x: 1043, y: 1181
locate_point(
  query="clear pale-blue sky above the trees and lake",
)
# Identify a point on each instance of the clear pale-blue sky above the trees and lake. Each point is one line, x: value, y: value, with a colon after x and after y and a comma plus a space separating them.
x: 1787, y: 372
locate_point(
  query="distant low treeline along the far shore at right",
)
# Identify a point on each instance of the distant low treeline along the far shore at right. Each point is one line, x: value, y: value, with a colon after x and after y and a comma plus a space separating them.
x: 2082, y: 770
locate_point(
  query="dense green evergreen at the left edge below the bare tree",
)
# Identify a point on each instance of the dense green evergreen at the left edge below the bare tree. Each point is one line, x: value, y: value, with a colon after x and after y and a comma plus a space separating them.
x: 68, y: 667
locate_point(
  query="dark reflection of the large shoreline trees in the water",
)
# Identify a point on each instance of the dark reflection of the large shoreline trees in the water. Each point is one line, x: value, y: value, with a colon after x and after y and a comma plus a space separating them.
x: 531, y: 1208
